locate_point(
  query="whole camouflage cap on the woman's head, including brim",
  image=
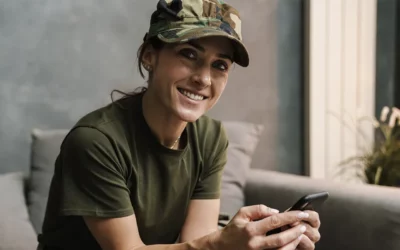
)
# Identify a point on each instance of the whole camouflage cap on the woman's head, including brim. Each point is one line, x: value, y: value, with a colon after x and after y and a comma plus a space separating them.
x: 177, y: 21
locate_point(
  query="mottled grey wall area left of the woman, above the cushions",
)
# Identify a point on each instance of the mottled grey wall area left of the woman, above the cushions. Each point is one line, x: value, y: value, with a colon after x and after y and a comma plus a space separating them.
x: 59, y: 60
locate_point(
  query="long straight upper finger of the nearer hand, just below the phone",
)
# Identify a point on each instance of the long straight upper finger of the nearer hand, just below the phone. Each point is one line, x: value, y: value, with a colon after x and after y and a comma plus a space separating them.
x: 280, y: 220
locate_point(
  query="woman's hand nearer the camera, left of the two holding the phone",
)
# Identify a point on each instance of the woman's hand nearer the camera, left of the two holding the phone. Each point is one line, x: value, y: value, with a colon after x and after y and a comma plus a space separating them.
x: 247, y: 230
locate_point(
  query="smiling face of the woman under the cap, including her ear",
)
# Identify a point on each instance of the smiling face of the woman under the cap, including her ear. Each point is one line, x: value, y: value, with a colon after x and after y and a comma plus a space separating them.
x: 188, y: 79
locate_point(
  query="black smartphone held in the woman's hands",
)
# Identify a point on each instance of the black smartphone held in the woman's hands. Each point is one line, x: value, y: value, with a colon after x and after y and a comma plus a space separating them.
x: 307, y: 202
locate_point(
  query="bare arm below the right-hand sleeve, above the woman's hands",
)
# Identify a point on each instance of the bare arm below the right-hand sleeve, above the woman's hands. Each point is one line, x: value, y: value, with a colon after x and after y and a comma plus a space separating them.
x: 201, y: 220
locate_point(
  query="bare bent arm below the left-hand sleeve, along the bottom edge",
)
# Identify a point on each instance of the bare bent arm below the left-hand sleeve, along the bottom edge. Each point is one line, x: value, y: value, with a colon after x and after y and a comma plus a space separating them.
x: 123, y: 234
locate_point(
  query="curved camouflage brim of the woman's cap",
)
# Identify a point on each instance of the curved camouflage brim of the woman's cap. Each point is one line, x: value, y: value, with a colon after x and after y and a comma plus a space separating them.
x: 241, y: 56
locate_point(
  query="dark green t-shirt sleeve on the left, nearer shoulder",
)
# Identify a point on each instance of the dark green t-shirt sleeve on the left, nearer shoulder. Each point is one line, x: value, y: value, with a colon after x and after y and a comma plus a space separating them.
x: 93, y: 182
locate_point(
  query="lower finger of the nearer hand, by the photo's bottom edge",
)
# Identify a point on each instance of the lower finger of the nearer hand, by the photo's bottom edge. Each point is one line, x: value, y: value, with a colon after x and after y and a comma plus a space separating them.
x: 281, y: 239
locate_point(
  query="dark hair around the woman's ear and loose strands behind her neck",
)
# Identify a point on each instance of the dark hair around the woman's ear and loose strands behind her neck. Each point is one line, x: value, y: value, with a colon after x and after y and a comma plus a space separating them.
x: 157, y: 44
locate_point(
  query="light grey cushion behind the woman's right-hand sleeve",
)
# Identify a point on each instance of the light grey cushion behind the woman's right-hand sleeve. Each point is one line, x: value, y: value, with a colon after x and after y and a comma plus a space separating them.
x: 243, y: 139
